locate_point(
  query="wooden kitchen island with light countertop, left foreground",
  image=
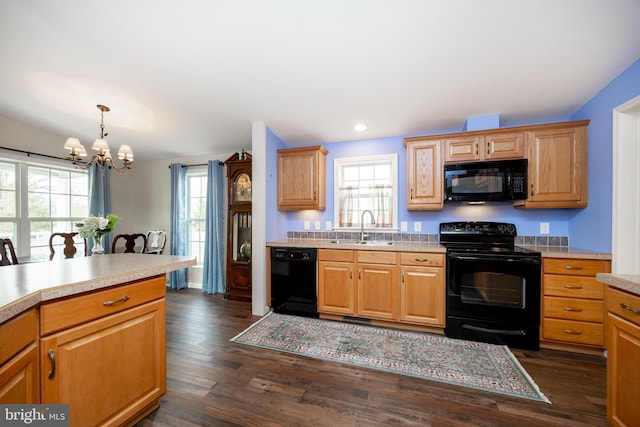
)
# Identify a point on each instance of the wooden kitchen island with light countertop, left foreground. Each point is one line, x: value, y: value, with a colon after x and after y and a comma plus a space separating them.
x: 88, y: 332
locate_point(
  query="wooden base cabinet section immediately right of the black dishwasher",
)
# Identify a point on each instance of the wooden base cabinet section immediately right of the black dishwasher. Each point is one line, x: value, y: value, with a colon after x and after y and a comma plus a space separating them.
x: 336, y: 285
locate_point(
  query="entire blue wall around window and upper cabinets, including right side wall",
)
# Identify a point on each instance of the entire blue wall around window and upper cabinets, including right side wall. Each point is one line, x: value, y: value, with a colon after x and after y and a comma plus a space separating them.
x: 588, y: 228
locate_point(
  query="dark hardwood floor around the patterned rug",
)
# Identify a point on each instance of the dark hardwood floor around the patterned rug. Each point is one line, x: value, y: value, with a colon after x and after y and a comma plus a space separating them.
x: 214, y: 382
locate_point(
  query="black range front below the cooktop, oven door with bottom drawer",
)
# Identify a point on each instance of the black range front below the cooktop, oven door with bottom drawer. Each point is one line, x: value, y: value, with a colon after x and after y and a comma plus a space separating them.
x: 494, y: 298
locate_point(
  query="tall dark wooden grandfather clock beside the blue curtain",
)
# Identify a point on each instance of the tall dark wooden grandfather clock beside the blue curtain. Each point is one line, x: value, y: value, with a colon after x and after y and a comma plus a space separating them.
x: 238, y: 286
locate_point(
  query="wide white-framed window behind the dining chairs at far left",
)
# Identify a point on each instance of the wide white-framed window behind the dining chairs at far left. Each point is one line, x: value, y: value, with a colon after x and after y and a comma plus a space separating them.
x: 37, y: 200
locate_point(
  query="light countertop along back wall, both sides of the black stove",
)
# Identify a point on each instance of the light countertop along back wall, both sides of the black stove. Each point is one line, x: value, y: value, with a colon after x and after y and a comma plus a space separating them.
x: 401, y: 246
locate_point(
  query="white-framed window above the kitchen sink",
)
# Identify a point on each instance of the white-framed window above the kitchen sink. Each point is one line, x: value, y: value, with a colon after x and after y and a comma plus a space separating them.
x: 366, y: 183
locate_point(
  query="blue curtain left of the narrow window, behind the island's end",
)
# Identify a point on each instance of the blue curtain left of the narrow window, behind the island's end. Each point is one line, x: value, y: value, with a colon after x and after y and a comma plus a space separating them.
x: 178, y: 222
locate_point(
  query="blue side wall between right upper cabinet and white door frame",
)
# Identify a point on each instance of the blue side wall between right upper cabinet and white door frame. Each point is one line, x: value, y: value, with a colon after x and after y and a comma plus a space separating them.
x: 591, y: 227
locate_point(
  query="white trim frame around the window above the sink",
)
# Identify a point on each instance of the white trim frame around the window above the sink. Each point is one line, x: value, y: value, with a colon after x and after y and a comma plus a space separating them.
x: 362, y: 160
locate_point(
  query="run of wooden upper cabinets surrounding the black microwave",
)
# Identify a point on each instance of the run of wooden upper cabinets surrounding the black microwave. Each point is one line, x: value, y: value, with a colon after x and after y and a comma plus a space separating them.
x: 557, y: 155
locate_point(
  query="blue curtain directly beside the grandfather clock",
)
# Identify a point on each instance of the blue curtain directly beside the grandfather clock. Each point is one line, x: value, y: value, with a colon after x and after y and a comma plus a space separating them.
x: 213, y: 273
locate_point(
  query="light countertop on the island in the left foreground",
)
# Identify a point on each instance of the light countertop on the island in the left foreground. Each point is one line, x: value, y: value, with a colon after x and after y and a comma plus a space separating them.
x: 24, y: 286
